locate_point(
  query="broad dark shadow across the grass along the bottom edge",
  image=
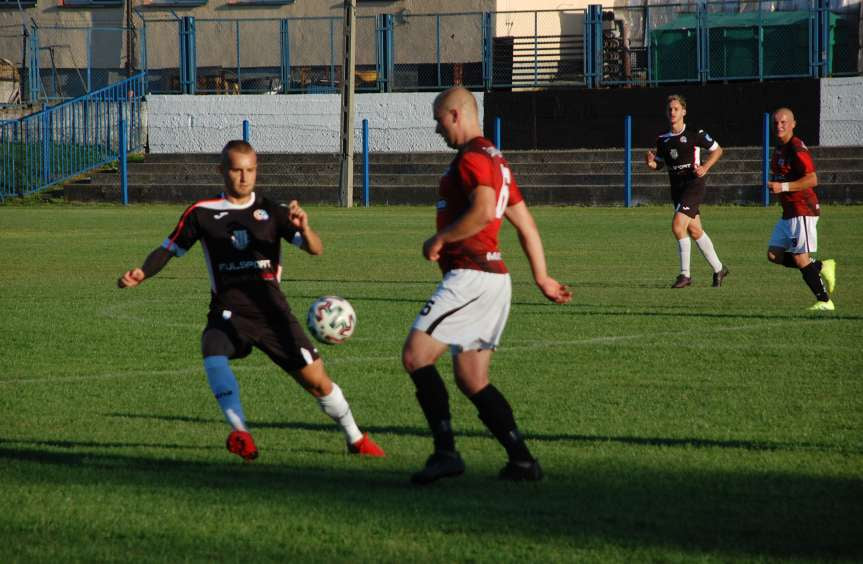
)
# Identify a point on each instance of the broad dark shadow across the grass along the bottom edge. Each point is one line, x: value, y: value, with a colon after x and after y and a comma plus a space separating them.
x: 594, y: 504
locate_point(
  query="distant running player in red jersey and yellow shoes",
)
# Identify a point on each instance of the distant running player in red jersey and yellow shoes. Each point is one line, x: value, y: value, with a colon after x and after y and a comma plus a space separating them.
x: 796, y: 233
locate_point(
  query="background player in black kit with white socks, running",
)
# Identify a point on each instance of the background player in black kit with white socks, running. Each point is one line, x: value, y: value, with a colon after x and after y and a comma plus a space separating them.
x: 681, y: 150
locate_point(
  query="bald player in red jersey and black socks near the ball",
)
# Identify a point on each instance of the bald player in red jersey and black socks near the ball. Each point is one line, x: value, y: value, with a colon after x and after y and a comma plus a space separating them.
x: 469, y: 309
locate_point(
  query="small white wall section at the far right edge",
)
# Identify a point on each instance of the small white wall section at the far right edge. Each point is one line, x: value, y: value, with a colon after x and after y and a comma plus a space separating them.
x: 841, y: 111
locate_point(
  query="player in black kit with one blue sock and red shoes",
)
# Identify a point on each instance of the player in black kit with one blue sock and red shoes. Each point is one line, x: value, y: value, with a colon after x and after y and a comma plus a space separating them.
x: 241, y: 234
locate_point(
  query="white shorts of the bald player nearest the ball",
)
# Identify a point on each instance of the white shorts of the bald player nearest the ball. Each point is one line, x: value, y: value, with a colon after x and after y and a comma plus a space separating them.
x: 468, y: 310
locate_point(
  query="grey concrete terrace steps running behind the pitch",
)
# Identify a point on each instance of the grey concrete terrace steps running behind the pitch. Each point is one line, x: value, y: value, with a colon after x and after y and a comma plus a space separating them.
x: 577, y: 177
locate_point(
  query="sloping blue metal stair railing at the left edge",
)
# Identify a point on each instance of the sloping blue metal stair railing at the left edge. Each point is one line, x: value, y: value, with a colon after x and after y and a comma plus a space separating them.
x: 71, y: 138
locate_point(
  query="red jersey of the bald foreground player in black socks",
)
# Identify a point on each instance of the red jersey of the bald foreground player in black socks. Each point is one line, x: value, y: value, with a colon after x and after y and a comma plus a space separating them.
x: 479, y: 163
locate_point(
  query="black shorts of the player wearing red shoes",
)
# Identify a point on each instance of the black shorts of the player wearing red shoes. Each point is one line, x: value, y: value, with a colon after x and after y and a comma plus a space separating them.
x: 278, y: 334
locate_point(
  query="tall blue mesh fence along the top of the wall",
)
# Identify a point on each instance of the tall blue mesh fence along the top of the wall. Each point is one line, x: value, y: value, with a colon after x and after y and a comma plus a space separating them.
x: 599, y: 46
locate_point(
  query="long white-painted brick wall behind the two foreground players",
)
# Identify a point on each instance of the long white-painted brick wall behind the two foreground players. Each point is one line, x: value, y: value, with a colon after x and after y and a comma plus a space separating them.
x: 302, y: 123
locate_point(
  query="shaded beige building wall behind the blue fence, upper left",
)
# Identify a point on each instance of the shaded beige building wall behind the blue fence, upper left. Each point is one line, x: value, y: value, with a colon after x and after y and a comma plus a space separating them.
x: 217, y: 43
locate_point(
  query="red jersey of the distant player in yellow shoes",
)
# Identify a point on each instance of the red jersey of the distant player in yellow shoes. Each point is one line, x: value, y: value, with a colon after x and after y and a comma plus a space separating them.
x: 792, y: 161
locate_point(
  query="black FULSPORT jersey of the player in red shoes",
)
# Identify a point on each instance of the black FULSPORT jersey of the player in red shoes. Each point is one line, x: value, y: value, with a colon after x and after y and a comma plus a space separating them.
x: 242, y: 249
